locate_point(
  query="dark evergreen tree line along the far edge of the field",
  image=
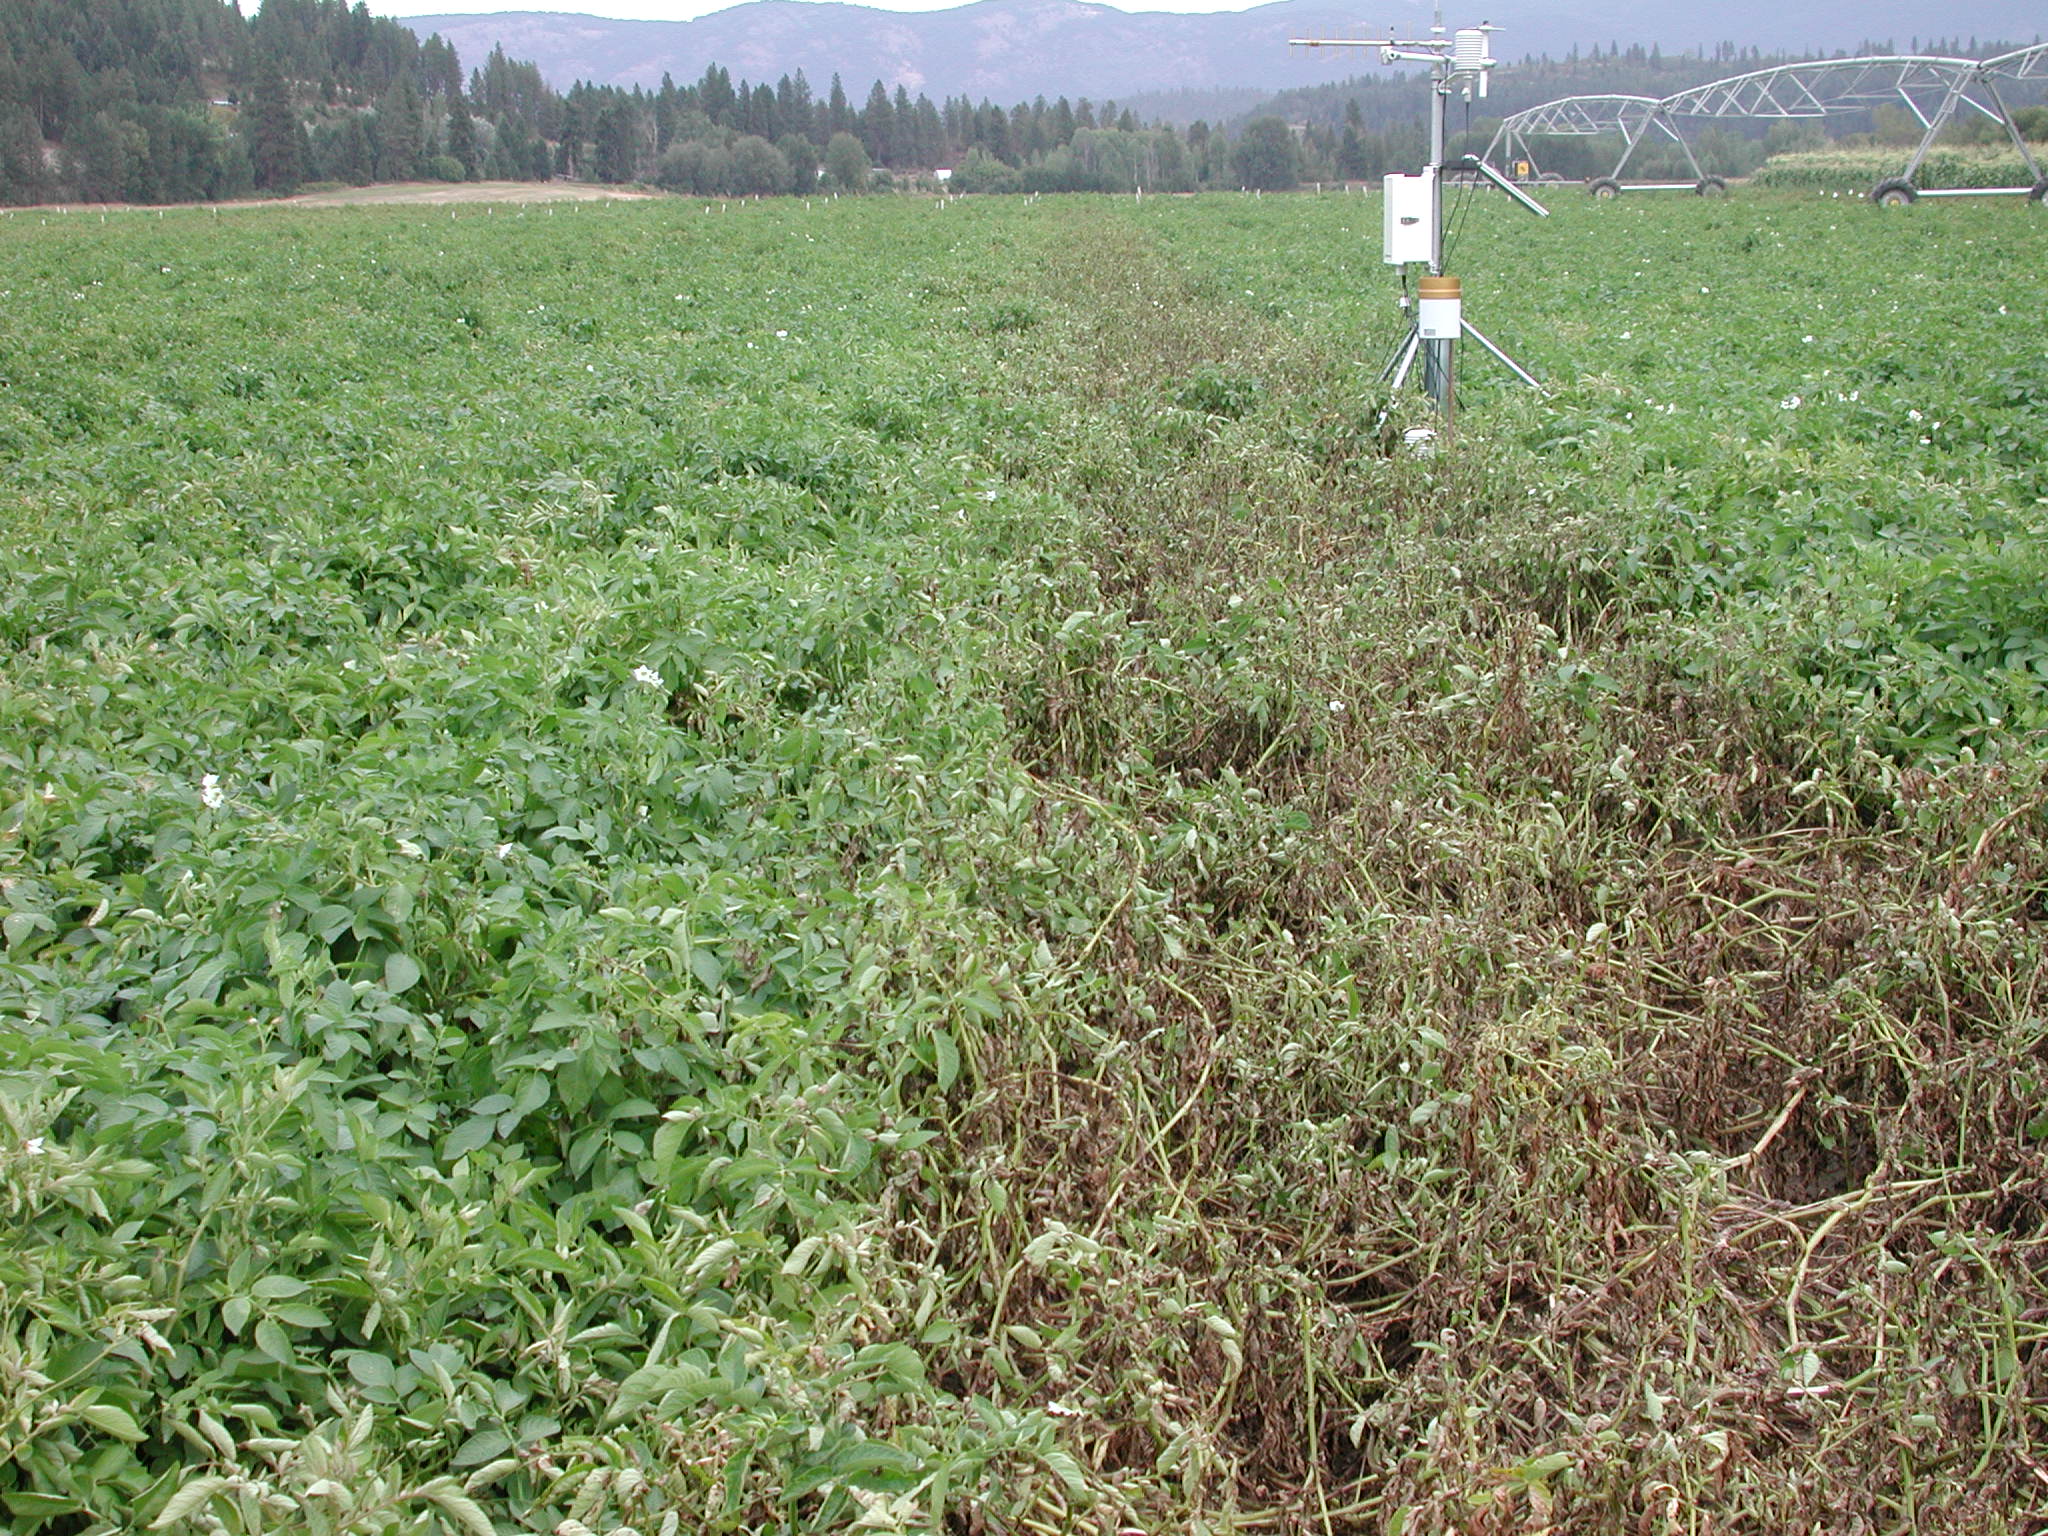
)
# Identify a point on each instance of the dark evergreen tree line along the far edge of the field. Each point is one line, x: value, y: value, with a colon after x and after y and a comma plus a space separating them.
x: 157, y: 101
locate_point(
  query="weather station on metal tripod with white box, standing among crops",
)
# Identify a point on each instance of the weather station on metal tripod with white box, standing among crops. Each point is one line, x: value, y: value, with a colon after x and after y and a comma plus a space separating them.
x: 1414, y: 208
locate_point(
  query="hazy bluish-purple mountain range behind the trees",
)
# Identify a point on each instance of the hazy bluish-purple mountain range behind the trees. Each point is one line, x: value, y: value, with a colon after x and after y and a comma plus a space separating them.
x: 1015, y: 50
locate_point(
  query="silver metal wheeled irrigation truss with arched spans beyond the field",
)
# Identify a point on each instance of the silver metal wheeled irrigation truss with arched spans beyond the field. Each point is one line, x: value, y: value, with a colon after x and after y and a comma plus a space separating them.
x: 1932, y: 87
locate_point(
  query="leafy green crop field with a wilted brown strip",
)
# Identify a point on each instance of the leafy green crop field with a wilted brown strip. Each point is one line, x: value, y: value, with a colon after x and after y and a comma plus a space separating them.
x: 890, y: 865
